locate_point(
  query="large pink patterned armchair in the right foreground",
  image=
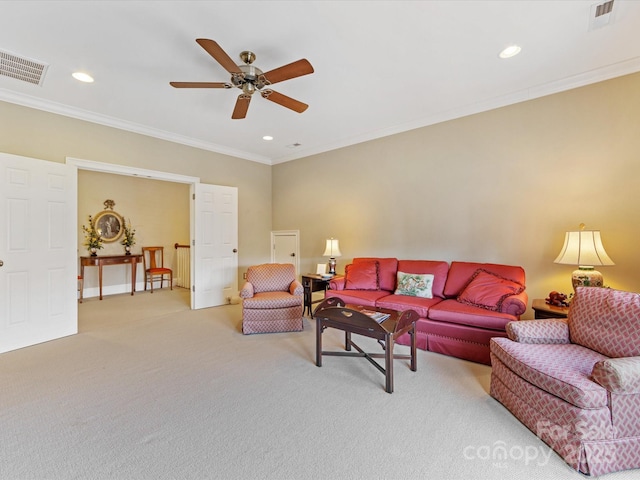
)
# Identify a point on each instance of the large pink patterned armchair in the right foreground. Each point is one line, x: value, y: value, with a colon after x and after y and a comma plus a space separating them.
x: 576, y: 383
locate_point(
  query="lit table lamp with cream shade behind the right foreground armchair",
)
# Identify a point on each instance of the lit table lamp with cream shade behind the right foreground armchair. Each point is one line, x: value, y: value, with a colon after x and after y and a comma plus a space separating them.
x: 584, y: 249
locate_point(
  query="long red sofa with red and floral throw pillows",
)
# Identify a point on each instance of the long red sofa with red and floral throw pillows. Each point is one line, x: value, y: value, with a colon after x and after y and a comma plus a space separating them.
x: 463, y: 306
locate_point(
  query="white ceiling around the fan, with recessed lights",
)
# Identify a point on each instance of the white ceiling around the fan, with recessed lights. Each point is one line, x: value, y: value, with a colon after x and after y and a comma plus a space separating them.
x: 381, y: 67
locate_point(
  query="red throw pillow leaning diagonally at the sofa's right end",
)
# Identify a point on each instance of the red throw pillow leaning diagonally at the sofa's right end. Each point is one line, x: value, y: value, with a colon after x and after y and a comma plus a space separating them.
x: 488, y: 290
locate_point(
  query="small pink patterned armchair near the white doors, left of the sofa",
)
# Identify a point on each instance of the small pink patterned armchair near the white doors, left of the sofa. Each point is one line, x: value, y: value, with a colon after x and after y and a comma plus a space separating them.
x: 271, y: 299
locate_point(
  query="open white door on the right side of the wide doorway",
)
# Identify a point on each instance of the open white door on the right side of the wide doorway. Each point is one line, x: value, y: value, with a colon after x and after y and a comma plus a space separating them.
x: 215, y: 247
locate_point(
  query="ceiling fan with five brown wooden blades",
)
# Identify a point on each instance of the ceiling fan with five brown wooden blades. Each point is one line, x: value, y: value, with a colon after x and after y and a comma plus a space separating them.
x: 250, y: 79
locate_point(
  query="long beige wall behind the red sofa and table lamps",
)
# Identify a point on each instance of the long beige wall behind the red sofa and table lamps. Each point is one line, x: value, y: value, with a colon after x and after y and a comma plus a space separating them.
x: 501, y: 186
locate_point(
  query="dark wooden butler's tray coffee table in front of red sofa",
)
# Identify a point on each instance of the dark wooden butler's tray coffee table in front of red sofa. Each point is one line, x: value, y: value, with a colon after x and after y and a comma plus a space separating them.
x: 333, y: 313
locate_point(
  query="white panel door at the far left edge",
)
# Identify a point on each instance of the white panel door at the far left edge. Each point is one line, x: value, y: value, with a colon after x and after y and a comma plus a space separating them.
x: 38, y: 248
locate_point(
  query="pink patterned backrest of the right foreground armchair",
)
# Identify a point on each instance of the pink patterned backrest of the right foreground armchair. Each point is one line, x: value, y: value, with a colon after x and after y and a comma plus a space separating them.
x: 606, y: 320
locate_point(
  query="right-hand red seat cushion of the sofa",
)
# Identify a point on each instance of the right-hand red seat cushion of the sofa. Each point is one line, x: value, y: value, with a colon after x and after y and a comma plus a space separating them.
x: 452, y: 311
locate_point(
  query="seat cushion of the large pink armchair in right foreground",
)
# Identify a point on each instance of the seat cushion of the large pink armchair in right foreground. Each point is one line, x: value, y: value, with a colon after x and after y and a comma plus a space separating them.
x: 562, y: 370
